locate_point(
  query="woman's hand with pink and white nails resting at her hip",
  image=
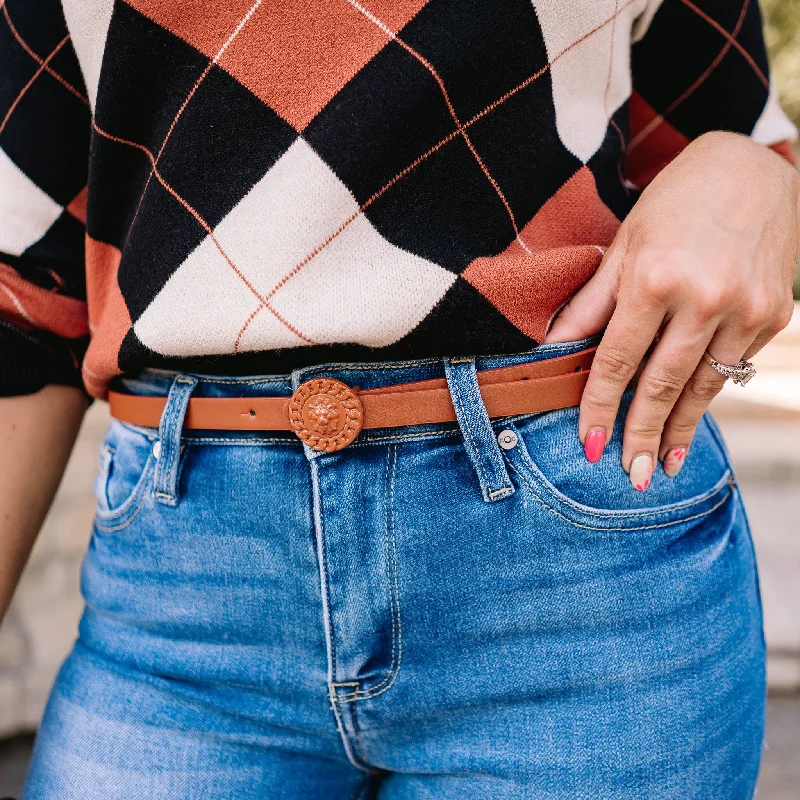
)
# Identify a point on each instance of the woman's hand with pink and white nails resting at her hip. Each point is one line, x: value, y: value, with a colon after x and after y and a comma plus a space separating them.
x: 706, y: 259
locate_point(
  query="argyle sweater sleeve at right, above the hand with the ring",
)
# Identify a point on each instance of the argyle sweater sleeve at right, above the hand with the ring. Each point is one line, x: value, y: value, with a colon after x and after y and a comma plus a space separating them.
x: 698, y: 66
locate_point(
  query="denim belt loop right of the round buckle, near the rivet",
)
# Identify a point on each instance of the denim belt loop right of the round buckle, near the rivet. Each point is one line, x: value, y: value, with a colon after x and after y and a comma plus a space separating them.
x: 479, y: 437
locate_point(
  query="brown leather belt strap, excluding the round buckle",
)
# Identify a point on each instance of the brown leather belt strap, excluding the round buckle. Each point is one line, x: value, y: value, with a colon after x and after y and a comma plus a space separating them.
x: 506, y: 391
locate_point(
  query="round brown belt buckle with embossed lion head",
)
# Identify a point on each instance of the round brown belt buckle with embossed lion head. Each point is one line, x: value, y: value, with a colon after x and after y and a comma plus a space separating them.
x: 326, y: 414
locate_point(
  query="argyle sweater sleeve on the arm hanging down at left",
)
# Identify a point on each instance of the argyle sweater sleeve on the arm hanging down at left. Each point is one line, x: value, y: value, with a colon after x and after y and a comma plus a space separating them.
x: 44, y: 145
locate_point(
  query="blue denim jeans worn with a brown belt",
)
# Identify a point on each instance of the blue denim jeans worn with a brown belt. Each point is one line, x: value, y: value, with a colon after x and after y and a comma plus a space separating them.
x: 424, y: 614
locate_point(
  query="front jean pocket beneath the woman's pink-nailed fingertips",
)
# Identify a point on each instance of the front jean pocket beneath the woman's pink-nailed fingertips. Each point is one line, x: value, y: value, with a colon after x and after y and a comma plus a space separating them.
x: 550, y: 465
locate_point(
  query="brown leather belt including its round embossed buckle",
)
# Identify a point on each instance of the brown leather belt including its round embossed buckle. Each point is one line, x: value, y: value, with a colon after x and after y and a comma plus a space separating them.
x: 328, y: 415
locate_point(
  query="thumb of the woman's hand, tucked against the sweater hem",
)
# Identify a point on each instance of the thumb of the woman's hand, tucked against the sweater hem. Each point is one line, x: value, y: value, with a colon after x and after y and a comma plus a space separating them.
x: 591, y: 307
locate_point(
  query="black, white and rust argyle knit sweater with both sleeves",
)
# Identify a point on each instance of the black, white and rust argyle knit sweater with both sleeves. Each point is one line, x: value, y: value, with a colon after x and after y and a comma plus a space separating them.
x: 248, y: 186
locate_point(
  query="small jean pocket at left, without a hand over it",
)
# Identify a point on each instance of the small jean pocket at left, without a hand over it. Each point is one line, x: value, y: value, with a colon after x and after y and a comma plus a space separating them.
x: 127, y: 460
